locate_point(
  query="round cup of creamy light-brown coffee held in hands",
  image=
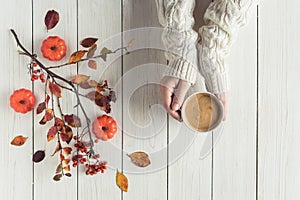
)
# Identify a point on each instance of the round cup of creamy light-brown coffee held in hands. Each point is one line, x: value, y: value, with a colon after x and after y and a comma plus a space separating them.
x: 202, y: 112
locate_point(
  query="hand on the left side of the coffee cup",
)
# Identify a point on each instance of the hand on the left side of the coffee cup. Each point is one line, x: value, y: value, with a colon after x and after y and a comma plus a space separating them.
x: 173, y: 91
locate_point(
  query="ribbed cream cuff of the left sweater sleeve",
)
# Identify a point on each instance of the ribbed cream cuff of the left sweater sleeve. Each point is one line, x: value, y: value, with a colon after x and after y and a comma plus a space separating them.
x: 181, y: 69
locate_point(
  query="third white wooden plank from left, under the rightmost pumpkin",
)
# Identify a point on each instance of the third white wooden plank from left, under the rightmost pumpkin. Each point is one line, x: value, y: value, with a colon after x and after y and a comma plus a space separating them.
x: 102, y: 19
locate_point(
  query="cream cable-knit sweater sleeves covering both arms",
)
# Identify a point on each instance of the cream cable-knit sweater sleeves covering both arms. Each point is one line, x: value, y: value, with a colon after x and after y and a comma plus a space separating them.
x: 189, y: 54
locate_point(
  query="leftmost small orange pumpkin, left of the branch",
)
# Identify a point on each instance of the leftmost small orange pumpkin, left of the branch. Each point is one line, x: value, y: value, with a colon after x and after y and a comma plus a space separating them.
x: 22, y: 100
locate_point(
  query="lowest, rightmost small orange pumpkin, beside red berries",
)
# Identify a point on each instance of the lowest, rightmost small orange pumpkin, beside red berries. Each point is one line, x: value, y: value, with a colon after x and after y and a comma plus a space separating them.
x: 104, y: 127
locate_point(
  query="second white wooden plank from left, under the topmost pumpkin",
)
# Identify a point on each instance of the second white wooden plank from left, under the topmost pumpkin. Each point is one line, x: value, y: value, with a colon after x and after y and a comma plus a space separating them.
x: 44, y: 186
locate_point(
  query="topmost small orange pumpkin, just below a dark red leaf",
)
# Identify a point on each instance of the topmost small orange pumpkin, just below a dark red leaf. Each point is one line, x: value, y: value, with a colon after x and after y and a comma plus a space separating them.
x: 54, y: 48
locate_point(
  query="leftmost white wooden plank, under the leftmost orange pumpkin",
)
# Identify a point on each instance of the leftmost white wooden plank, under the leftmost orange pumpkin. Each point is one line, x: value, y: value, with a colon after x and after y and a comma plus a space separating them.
x: 16, y: 167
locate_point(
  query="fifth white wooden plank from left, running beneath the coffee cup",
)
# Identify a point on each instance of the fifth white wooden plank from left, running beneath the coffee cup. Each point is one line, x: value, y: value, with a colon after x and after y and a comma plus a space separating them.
x: 190, y: 175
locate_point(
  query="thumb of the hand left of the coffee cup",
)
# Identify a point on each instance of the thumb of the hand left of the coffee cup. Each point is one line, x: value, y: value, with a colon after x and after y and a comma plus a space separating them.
x: 179, y: 94
